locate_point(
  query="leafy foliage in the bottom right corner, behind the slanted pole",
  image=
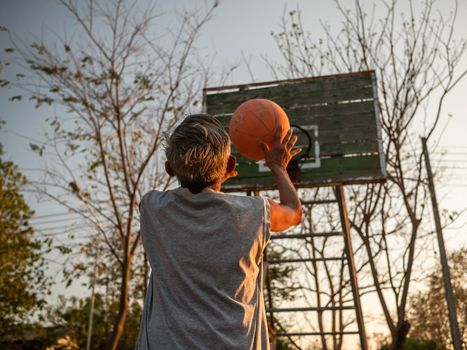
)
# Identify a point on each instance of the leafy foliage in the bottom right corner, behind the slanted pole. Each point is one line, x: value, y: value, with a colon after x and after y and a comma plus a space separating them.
x: 428, y: 310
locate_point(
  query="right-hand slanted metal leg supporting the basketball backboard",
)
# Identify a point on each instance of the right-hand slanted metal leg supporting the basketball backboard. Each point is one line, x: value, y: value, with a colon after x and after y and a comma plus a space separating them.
x: 340, y: 196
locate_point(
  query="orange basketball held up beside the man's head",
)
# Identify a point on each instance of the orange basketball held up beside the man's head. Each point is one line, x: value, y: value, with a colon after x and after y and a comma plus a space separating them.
x: 254, y: 121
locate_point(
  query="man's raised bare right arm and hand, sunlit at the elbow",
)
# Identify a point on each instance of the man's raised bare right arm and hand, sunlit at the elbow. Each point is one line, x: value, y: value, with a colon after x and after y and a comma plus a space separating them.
x: 288, y: 212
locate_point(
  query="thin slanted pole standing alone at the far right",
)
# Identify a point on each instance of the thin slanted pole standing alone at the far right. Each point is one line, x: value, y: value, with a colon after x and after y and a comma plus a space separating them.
x: 455, y: 333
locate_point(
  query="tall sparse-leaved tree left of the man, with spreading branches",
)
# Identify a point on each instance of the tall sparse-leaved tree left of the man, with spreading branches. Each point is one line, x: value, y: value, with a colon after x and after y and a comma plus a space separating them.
x: 121, y: 82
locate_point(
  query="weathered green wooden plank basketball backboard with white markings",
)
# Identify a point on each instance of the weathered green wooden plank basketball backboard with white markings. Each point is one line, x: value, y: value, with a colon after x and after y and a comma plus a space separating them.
x: 337, y: 123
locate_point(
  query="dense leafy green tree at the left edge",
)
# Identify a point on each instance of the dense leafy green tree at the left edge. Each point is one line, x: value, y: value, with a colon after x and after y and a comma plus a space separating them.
x: 23, y: 283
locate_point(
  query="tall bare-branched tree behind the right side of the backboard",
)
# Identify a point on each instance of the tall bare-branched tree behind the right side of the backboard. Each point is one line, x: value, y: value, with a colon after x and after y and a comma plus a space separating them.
x: 415, y: 61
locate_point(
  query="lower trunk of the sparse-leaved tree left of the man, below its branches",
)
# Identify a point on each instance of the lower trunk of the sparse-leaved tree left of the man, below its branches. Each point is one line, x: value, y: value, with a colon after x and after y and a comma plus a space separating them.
x: 123, y: 307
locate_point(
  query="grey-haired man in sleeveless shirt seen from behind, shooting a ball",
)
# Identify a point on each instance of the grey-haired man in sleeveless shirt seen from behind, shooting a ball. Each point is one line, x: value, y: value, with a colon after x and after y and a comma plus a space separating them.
x: 205, y: 247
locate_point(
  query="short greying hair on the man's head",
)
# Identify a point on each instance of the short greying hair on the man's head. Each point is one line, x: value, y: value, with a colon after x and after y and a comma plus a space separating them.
x: 198, y: 150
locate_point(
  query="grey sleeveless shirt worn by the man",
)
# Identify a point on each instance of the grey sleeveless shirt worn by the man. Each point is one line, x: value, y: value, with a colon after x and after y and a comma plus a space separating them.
x: 206, y: 285
